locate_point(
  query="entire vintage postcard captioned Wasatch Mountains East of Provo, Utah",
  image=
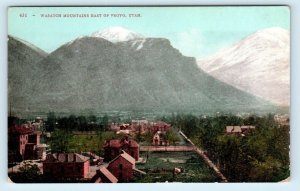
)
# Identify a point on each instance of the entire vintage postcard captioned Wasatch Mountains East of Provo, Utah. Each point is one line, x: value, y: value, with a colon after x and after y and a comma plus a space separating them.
x: 148, y: 94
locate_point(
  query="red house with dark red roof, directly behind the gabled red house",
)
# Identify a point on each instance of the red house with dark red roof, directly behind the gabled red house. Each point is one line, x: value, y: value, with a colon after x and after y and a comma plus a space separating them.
x: 112, y: 148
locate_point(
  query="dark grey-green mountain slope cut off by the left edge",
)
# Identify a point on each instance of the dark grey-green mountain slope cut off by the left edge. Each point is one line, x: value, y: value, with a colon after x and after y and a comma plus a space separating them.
x: 22, y: 70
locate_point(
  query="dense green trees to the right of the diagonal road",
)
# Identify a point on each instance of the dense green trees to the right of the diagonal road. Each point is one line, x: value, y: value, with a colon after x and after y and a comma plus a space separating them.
x: 262, y: 155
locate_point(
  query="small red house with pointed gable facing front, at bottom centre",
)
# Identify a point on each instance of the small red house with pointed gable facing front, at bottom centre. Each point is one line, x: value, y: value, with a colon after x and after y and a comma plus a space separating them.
x: 122, y: 167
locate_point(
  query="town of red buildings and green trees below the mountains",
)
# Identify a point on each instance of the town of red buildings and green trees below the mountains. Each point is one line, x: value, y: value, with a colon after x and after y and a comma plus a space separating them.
x: 173, y: 149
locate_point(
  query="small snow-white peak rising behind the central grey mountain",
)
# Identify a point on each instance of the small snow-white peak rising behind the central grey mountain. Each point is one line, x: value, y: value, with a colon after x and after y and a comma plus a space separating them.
x: 117, y: 34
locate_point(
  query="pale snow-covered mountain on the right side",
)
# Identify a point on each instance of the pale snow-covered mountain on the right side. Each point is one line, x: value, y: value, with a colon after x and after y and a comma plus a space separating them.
x: 258, y: 64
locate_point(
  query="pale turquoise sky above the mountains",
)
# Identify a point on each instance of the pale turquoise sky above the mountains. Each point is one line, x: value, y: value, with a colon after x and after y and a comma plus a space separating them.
x: 195, y: 31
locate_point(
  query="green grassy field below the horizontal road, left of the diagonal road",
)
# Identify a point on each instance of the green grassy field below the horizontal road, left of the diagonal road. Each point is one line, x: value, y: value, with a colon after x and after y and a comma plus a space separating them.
x: 160, y: 165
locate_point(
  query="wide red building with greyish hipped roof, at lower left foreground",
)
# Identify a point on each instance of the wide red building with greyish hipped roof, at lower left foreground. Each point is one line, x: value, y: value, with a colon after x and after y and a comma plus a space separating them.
x: 66, y: 165
